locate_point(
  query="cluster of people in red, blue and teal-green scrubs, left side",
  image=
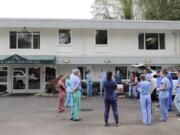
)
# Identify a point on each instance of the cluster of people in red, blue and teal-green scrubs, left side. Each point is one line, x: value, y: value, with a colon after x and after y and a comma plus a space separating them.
x: 70, y: 86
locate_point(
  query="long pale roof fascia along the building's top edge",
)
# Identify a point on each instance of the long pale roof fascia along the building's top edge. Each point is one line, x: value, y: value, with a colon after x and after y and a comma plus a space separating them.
x: 88, y: 24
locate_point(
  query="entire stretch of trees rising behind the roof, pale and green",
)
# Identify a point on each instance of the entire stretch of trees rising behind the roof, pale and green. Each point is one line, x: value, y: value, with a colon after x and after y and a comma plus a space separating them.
x: 137, y: 9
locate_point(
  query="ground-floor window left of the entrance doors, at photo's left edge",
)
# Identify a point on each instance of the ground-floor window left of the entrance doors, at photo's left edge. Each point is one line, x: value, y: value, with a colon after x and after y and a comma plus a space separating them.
x: 3, y: 78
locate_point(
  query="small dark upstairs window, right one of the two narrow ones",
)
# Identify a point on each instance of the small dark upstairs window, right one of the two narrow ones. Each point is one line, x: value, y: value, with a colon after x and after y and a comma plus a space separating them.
x: 101, y: 37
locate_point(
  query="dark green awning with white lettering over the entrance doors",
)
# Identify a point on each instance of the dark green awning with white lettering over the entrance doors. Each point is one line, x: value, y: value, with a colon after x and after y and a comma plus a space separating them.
x: 27, y: 59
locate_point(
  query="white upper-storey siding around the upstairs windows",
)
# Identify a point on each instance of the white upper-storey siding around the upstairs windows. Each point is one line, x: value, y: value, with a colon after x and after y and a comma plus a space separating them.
x: 120, y: 43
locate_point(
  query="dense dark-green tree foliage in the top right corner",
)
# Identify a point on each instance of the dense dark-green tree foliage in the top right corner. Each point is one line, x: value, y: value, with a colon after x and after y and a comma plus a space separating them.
x: 160, y: 9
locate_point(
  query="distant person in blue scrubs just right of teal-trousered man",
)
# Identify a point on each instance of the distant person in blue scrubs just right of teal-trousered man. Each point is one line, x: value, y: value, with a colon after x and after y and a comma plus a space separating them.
x: 88, y: 83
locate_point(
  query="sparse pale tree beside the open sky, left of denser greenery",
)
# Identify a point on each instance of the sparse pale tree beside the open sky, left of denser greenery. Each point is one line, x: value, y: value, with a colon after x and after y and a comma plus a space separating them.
x: 113, y: 9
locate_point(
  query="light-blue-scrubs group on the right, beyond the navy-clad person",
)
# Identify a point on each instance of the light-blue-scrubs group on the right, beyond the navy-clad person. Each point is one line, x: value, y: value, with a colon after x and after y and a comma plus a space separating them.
x: 164, y: 88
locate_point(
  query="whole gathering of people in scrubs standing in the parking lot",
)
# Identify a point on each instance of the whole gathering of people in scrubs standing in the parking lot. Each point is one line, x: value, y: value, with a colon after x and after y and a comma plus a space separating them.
x: 70, y: 86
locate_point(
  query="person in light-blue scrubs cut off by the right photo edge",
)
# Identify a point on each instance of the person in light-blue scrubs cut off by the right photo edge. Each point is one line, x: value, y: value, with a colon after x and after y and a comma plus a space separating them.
x: 177, y: 97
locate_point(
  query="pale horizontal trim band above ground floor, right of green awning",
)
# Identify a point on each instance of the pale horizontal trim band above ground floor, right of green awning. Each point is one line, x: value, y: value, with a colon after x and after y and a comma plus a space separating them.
x: 117, y: 60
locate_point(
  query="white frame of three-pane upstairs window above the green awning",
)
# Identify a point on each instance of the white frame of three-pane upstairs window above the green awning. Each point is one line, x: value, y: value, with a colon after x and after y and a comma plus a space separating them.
x: 32, y: 40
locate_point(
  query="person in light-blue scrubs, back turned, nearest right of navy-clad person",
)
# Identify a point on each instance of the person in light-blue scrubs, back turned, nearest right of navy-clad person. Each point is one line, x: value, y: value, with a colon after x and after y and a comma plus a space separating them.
x: 144, y: 87
